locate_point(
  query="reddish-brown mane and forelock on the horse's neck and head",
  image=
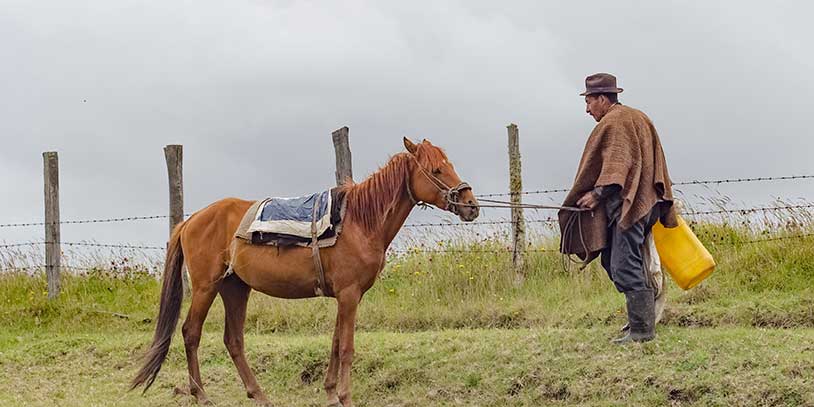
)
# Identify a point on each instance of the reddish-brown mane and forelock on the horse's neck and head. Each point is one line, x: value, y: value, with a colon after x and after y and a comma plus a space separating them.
x: 370, y: 200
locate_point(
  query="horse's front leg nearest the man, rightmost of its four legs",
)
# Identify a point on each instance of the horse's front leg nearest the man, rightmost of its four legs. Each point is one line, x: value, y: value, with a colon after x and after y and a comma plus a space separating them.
x: 348, y: 302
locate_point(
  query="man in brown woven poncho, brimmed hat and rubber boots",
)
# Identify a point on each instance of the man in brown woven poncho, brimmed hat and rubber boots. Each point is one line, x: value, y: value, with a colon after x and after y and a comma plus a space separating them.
x: 623, y: 185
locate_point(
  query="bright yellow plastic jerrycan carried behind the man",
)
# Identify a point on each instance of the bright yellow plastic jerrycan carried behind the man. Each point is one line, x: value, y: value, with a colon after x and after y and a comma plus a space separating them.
x: 682, y: 254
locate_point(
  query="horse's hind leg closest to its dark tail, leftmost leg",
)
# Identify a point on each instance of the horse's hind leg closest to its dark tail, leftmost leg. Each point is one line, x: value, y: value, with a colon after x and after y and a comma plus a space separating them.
x: 202, y: 297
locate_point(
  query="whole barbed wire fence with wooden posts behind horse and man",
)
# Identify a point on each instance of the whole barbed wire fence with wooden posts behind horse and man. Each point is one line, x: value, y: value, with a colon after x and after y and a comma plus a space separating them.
x: 52, y: 243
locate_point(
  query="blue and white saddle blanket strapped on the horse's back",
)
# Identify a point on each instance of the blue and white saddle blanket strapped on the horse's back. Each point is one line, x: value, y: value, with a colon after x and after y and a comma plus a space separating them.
x: 288, y: 221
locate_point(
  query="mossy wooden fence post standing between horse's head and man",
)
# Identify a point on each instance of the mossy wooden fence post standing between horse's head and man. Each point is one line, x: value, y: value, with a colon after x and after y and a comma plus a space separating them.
x: 515, y: 189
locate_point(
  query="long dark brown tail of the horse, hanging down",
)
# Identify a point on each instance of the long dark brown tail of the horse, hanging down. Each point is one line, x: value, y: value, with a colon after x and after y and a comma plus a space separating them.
x: 172, y: 294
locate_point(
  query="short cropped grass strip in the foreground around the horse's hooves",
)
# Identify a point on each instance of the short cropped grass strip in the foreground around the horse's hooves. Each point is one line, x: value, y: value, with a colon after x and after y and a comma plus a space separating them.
x: 520, y: 367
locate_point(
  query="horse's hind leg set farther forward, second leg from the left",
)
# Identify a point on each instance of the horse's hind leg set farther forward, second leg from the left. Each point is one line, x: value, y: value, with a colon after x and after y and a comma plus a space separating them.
x: 235, y: 295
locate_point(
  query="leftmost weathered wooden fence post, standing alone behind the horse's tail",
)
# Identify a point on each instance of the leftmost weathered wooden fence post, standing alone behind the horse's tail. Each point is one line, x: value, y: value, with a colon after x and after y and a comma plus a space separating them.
x: 52, y: 240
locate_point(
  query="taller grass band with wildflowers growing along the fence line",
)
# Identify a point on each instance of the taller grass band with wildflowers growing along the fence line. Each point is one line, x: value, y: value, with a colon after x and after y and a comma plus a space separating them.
x: 767, y: 284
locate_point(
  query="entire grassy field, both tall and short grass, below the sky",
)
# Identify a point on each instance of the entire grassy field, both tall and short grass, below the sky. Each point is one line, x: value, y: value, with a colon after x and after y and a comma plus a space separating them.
x: 445, y: 329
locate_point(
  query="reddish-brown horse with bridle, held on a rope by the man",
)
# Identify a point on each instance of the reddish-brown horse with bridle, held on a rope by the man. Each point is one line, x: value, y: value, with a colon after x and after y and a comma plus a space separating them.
x: 375, y: 212
